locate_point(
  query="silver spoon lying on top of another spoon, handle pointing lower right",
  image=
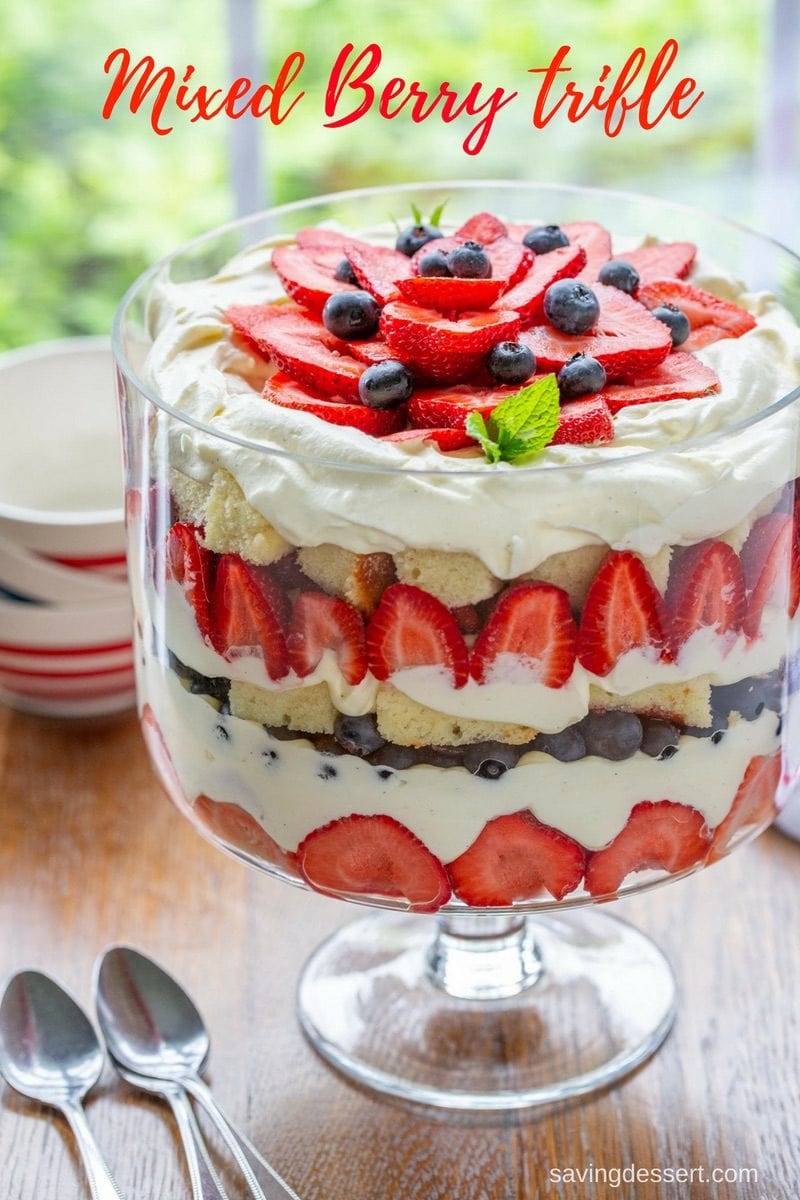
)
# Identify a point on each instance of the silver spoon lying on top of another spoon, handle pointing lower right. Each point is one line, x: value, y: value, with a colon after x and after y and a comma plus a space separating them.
x: 154, y: 1029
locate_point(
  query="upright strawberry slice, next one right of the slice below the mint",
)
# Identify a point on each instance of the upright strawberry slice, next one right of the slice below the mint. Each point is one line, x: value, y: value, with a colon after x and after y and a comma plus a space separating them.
x: 623, y: 613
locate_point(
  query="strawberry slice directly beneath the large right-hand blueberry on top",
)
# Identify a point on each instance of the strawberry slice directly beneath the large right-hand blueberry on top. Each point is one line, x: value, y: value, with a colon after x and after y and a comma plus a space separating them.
x: 627, y: 339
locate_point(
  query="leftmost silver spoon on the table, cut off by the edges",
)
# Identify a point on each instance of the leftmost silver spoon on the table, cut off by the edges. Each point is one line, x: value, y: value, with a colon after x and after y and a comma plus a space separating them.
x: 50, y: 1053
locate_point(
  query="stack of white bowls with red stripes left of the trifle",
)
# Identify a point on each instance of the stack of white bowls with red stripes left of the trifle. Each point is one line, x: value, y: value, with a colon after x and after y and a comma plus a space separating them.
x: 65, y: 617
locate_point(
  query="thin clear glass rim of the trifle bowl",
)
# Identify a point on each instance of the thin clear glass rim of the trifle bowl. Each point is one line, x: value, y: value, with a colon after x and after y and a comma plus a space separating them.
x: 606, y: 464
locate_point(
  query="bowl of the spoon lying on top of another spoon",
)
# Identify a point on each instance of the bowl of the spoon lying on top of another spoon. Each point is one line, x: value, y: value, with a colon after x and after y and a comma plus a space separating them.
x: 151, y: 1025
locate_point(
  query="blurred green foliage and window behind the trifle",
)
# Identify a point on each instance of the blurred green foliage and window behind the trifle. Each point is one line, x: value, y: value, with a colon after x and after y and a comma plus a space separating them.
x: 86, y: 205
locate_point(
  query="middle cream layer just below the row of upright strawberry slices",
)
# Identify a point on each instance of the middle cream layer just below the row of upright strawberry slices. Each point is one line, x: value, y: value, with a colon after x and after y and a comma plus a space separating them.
x: 509, y: 698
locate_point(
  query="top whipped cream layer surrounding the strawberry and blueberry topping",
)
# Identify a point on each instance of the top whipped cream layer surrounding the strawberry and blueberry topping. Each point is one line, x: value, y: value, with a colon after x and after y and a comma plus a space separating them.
x: 334, y: 484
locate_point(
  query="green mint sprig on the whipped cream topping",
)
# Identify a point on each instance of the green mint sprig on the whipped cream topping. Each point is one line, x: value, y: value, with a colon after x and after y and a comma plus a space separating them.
x: 521, y: 427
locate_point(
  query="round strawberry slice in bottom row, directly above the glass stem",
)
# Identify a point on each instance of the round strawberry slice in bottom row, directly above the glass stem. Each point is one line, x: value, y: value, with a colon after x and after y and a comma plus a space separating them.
x: 516, y: 857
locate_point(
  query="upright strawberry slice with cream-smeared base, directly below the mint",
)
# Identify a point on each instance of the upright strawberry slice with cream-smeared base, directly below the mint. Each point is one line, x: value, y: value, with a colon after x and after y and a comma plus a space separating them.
x: 533, y: 625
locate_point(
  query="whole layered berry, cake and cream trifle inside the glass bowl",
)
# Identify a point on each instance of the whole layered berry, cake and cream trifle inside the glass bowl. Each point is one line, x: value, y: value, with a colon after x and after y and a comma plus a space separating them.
x: 477, y: 577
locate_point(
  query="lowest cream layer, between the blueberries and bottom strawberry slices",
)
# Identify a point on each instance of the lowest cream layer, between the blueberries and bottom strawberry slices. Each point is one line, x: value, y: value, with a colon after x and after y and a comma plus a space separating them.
x: 281, y: 785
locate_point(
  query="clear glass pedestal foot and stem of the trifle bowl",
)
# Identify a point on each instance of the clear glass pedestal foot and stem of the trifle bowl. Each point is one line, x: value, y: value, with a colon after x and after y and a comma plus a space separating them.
x: 488, y: 1012
